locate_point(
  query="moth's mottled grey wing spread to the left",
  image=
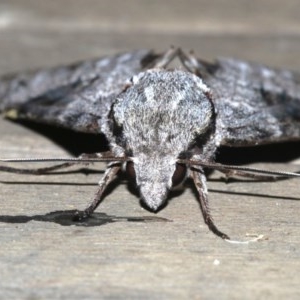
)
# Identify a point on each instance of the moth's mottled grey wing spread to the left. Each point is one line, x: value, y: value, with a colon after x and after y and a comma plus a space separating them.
x: 78, y: 97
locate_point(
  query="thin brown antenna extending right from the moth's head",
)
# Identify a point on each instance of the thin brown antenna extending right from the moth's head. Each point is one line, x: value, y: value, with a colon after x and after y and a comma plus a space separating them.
x: 246, y: 170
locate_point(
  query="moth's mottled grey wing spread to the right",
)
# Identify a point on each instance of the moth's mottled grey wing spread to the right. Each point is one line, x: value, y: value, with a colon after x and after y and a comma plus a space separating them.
x: 254, y: 104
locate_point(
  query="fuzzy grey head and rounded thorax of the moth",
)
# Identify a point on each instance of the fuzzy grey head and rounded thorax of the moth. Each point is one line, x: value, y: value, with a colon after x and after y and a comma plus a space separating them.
x: 160, y: 117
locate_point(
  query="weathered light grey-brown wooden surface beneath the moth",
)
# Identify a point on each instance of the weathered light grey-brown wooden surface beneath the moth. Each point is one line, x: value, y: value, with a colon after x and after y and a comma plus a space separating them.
x: 126, y: 252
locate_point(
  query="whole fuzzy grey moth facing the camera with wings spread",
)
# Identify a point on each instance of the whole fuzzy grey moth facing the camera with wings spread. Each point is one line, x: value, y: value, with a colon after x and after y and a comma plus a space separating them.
x: 163, y: 125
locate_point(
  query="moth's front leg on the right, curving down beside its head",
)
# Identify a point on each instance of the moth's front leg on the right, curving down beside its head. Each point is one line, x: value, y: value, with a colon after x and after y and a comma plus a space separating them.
x: 200, y: 184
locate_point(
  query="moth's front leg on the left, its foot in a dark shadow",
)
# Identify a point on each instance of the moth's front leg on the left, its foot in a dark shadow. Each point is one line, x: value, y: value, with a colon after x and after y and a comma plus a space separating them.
x: 109, y: 175
